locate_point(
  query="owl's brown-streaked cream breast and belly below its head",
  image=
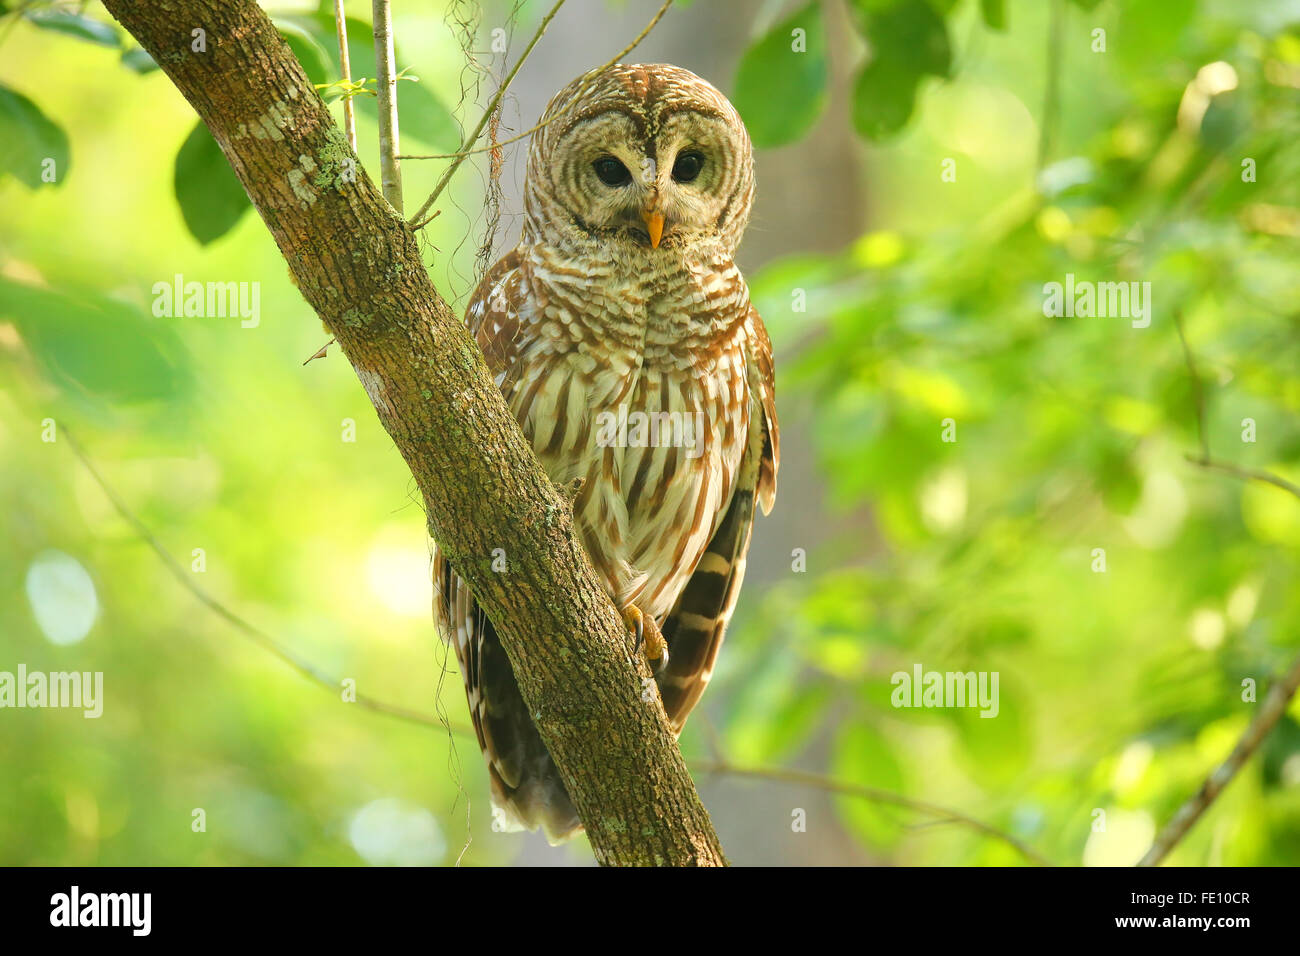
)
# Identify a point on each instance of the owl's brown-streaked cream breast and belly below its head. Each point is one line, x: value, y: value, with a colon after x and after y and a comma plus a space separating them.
x: 638, y: 380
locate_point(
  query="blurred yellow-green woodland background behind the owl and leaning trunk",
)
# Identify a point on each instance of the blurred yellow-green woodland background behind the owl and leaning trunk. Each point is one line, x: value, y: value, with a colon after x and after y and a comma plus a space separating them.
x: 1165, y: 154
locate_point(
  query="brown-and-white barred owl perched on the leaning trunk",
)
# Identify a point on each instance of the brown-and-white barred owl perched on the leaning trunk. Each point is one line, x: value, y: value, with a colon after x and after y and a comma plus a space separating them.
x: 623, y: 339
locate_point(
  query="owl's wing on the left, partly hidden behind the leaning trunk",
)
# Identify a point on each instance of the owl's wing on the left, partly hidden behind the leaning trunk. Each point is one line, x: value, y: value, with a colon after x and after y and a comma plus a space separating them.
x: 525, y: 781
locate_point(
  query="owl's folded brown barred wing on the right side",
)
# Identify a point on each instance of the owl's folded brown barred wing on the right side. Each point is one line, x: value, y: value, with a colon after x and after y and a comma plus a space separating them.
x: 697, y: 624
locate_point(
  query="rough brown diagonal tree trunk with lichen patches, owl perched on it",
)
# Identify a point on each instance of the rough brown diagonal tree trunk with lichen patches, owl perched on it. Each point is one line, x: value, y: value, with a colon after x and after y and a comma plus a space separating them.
x: 358, y: 265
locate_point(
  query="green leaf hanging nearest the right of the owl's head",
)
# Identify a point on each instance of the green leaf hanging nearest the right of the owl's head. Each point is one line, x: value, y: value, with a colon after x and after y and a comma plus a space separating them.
x: 782, y: 81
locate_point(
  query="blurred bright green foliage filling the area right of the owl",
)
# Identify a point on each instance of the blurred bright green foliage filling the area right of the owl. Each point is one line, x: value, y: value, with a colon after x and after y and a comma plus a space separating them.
x: 1120, y: 690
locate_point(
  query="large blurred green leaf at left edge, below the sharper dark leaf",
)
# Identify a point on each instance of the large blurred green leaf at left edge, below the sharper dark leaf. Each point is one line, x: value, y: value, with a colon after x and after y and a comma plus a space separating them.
x: 96, y: 348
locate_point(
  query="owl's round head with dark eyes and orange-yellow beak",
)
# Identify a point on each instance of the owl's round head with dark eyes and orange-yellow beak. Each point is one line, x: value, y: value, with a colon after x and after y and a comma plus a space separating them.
x: 649, y: 157
